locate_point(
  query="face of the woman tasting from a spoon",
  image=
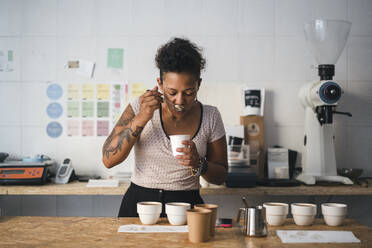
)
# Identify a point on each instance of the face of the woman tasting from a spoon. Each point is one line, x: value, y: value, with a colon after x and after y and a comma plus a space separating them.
x: 179, y: 90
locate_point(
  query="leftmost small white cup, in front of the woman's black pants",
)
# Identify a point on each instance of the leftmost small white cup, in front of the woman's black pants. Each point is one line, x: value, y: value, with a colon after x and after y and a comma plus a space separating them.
x: 149, y: 212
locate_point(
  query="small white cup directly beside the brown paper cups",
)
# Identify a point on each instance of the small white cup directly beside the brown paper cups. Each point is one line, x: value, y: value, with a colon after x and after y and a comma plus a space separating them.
x: 176, y: 212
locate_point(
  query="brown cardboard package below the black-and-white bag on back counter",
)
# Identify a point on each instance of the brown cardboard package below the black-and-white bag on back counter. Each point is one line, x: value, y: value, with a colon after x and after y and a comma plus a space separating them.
x: 254, y: 136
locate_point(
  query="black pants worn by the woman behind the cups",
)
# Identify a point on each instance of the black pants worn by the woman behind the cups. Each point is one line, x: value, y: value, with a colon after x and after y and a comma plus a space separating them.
x: 137, y: 193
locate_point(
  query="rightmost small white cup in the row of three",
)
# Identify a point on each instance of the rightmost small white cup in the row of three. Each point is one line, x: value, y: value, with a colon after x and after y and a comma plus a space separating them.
x: 334, y: 213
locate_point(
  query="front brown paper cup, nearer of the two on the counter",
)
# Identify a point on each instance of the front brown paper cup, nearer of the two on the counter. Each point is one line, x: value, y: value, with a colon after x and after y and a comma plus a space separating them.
x: 198, y: 223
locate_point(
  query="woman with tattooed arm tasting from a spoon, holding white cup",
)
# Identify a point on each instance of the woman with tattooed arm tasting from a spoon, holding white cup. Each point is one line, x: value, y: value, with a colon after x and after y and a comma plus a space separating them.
x: 150, y: 119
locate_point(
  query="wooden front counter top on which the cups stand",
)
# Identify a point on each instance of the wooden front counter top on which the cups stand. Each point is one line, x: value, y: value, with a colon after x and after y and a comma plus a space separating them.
x: 102, y: 232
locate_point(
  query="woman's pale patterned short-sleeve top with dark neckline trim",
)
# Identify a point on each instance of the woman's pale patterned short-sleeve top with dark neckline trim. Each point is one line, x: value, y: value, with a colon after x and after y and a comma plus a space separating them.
x: 155, y: 166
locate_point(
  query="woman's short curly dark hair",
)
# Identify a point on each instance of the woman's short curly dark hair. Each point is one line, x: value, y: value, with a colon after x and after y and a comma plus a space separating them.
x: 180, y: 55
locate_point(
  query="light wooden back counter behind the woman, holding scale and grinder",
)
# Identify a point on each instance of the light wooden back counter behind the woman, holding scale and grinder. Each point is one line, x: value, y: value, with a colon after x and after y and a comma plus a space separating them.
x: 79, y: 188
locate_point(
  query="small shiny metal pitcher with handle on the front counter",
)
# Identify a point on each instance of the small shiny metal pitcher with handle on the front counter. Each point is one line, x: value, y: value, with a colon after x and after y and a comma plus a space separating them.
x: 254, y: 221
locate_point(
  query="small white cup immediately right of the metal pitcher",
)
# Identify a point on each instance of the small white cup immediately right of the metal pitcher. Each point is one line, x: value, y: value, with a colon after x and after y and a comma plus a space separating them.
x: 276, y: 213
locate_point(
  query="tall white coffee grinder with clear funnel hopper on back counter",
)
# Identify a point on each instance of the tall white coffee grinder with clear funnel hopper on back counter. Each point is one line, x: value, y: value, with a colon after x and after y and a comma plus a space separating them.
x: 327, y: 39
